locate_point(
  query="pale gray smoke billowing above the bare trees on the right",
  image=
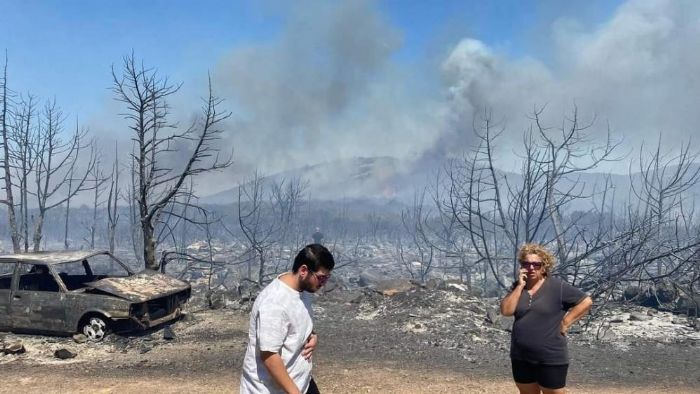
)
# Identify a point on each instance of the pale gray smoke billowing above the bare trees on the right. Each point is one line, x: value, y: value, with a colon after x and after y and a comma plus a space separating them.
x: 636, y: 73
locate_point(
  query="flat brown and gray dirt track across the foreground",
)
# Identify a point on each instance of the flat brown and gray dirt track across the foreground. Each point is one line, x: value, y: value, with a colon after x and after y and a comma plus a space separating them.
x: 354, y: 356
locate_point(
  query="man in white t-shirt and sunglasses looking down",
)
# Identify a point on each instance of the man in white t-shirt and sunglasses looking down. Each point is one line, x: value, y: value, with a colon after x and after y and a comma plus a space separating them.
x: 280, y: 336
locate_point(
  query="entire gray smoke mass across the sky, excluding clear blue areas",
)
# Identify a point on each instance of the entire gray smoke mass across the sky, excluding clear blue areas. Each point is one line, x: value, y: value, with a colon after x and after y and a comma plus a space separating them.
x: 327, y: 87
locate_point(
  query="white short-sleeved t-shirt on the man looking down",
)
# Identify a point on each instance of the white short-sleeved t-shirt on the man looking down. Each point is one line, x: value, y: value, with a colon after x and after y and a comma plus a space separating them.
x: 281, y: 321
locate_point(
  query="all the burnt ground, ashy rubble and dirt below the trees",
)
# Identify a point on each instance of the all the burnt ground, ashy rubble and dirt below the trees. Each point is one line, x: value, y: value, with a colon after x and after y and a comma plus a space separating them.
x: 394, y: 336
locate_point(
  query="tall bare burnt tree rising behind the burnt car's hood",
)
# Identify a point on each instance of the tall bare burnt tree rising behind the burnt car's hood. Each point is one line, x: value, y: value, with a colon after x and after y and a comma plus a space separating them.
x: 156, y: 183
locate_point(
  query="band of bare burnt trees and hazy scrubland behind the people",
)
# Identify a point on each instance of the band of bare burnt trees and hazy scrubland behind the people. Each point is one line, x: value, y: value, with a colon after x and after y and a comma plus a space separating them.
x: 637, y: 240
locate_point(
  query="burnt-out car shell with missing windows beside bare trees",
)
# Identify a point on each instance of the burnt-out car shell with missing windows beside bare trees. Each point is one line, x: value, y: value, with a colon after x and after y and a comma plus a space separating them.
x: 89, y: 292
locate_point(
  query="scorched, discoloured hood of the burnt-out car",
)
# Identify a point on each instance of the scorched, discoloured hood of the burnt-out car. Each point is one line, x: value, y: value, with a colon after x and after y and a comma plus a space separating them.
x: 144, y: 286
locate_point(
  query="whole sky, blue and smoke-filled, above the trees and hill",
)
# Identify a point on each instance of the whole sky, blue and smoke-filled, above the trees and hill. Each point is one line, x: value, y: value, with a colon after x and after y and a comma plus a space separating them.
x: 315, y: 81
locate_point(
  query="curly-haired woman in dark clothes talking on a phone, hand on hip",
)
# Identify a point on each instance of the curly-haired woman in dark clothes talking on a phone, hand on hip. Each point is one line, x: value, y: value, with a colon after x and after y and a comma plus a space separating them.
x: 544, y: 308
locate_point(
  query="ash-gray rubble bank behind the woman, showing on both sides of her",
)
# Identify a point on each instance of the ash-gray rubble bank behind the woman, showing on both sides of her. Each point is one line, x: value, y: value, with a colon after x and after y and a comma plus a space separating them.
x: 449, y: 316
